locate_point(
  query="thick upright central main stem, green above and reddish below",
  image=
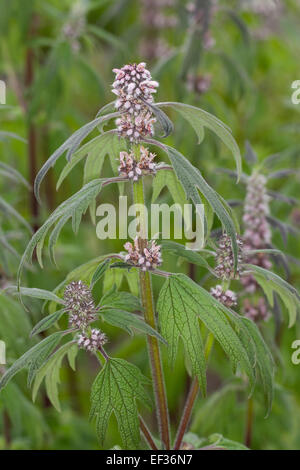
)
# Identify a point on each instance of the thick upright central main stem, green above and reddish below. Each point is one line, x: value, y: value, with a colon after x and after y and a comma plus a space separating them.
x: 149, y: 315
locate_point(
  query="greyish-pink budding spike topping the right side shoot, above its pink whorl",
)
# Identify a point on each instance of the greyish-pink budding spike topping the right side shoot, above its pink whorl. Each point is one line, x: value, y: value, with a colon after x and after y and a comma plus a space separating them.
x: 225, y: 258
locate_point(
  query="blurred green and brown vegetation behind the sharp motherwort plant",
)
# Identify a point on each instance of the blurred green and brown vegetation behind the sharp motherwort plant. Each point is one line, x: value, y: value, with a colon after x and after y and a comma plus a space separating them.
x: 236, y: 59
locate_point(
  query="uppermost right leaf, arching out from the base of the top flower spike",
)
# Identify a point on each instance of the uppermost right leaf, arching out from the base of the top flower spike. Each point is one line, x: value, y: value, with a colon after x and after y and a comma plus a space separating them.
x: 199, y: 119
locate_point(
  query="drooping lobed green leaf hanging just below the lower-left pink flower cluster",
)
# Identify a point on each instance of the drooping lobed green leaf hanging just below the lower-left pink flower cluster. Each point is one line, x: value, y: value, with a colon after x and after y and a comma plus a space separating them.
x: 50, y: 372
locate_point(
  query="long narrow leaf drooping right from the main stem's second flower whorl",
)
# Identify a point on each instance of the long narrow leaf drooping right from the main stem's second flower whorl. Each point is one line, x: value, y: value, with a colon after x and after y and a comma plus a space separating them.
x: 192, y: 180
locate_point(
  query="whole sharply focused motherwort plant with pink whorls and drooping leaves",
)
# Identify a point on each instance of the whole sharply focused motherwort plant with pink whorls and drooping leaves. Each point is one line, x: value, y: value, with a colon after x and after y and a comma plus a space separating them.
x: 183, y: 310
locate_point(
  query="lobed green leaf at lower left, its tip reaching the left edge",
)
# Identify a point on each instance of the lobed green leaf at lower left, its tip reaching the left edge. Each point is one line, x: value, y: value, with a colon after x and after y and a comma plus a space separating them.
x: 33, y: 359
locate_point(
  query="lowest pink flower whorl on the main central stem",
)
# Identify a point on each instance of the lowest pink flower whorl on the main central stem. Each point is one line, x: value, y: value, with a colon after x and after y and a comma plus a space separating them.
x: 145, y: 258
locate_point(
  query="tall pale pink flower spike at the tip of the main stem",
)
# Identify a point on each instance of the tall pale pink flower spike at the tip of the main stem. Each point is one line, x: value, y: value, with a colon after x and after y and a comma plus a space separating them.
x: 134, y: 88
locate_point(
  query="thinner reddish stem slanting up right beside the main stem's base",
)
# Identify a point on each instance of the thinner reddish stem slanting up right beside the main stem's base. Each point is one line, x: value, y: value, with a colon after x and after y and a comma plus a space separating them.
x: 192, y: 395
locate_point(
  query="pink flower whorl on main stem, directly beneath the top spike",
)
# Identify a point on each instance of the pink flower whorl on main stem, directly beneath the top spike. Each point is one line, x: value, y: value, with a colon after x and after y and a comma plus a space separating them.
x: 134, y: 169
